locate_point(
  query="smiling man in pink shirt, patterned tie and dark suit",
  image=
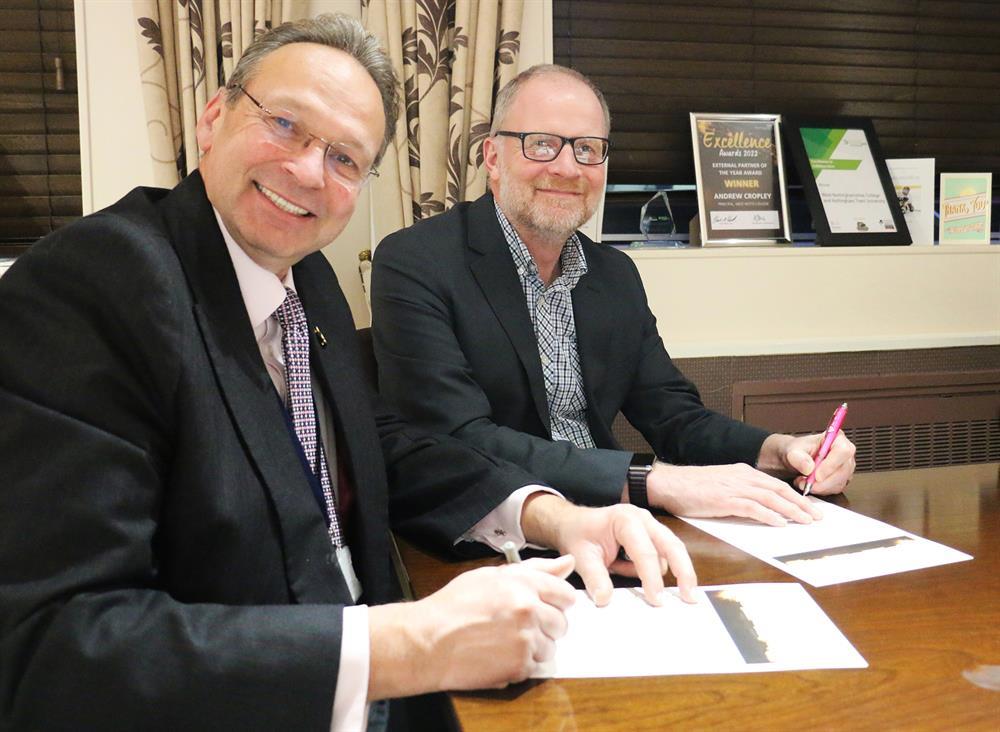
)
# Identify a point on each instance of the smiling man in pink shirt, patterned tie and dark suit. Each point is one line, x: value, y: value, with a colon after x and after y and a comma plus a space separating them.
x: 196, y: 481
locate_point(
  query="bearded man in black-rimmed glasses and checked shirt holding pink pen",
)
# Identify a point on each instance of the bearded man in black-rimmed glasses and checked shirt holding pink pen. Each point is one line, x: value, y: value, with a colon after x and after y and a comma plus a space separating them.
x: 499, y: 323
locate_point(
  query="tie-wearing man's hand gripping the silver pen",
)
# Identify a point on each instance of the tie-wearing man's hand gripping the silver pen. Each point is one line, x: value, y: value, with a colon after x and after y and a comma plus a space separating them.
x: 485, y: 629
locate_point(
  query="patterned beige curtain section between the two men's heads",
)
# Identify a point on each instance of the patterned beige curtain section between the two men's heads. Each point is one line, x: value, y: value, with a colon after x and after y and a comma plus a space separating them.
x: 453, y: 56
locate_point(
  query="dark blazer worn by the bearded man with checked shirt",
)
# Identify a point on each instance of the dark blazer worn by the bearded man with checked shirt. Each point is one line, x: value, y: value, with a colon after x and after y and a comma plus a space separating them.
x: 457, y: 353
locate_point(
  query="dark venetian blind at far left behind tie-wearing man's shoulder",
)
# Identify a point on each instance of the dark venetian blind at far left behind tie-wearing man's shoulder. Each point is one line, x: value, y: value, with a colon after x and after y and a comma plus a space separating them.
x: 39, y: 124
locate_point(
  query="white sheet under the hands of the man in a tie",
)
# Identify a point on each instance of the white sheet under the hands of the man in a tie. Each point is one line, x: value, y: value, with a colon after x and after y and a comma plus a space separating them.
x: 741, y: 628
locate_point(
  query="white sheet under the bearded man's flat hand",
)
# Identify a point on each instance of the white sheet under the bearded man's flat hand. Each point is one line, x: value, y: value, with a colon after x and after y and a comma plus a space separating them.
x: 842, y: 547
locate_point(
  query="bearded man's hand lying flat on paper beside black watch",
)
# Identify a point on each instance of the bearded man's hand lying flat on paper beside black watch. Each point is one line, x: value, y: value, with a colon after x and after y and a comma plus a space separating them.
x: 714, y: 491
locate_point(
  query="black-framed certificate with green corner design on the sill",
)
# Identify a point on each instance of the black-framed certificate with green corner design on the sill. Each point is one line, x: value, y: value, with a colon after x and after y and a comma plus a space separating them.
x: 846, y: 183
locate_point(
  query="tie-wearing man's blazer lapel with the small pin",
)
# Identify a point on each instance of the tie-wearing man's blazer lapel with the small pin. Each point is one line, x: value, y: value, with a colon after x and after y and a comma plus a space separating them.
x: 337, y: 365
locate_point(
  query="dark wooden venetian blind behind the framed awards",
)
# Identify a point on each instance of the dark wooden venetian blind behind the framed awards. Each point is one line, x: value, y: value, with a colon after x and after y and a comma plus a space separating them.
x: 927, y: 73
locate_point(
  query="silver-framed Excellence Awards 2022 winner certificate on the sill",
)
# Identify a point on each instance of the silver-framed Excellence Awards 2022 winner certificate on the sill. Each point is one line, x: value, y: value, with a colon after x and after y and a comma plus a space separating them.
x: 741, y: 179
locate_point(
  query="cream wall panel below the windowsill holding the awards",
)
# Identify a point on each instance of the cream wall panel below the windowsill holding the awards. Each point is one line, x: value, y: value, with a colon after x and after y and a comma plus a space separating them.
x: 742, y: 302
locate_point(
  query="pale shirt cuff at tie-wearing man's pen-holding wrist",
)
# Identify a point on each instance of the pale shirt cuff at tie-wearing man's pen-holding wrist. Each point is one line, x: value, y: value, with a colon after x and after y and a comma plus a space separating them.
x: 350, y: 700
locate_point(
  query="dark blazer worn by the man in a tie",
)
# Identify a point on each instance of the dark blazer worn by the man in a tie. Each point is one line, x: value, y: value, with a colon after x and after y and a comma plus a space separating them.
x: 163, y: 563
